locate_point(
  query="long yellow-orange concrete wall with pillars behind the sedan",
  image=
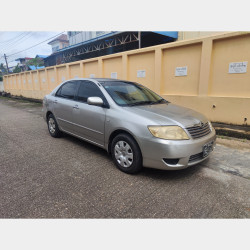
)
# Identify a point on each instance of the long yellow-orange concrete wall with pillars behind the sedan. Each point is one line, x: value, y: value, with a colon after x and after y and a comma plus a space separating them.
x: 208, y: 87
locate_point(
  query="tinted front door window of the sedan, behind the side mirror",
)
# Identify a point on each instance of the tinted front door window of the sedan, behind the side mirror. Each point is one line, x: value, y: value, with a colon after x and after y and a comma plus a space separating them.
x: 88, y: 89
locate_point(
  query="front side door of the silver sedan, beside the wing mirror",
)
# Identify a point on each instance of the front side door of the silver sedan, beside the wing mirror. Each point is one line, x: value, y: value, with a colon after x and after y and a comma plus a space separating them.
x: 89, y: 119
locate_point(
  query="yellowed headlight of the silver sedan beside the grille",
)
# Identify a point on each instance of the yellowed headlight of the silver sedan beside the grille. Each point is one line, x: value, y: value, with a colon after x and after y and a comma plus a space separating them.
x: 168, y: 132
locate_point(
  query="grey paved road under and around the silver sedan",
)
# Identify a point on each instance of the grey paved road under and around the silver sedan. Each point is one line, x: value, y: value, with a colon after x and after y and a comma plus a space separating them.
x: 43, y: 177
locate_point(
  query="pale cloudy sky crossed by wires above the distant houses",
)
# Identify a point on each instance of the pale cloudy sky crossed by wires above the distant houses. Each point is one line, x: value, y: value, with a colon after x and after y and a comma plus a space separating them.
x: 15, y: 41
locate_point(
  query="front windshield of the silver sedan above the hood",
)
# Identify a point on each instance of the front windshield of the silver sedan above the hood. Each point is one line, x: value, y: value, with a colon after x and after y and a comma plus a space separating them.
x: 131, y: 94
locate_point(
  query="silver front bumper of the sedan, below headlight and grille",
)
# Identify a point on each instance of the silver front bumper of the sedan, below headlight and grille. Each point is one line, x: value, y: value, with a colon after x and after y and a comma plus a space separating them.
x: 155, y: 150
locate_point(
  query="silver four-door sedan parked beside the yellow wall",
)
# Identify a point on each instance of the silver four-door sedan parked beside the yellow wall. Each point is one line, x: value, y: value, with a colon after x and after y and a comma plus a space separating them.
x: 134, y: 124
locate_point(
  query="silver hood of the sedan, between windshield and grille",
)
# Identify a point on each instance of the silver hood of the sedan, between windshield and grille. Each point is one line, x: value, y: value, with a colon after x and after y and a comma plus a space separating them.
x: 169, y: 114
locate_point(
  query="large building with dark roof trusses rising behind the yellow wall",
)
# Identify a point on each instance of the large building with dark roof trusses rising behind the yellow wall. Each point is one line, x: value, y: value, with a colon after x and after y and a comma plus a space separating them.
x: 90, y: 44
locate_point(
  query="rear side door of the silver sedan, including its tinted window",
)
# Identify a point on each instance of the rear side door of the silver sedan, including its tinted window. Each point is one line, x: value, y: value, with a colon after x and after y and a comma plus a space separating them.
x: 64, y: 103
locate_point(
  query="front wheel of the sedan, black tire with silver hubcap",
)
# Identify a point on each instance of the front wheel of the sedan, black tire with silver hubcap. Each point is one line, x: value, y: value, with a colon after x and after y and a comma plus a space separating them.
x: 126, y: 154
